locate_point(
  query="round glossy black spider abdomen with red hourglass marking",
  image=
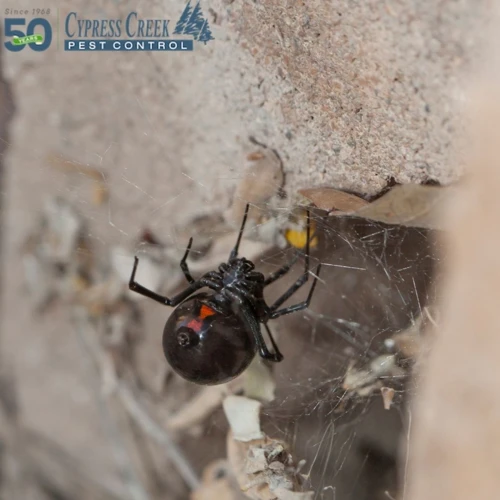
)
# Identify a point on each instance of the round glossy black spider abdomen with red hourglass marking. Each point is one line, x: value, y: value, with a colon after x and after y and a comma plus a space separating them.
x: 205, y: 345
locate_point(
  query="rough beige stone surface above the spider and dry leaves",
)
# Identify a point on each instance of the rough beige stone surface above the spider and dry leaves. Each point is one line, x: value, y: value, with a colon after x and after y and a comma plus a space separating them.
x: 350, y: 94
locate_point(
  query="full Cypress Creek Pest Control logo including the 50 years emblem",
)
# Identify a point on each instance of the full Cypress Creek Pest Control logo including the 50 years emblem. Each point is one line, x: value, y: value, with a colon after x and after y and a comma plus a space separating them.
x: 130, y: 33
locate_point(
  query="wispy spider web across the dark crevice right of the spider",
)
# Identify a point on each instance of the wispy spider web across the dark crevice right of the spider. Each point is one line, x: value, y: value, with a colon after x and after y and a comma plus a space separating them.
x: 375, y: 282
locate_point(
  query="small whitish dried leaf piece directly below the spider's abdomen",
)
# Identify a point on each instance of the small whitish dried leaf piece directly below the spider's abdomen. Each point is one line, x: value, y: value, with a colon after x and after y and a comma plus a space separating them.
x: 243, y: 417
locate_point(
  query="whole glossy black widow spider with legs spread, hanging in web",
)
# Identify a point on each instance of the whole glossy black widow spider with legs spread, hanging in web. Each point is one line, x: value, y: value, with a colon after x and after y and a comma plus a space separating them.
x: 211, y: 338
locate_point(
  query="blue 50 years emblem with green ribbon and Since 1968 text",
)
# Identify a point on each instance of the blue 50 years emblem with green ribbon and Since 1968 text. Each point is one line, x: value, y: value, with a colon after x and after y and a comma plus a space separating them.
x: 35, y: 33
